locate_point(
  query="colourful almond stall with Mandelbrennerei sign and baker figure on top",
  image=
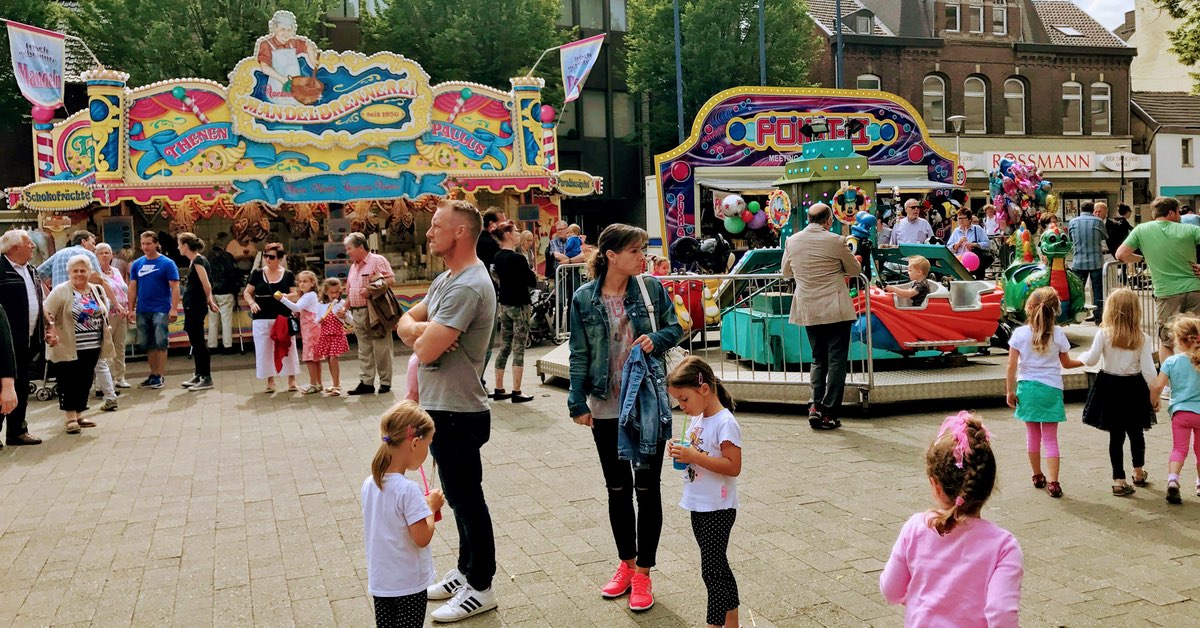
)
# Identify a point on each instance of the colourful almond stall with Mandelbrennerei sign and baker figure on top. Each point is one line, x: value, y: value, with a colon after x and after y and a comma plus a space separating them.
x: 301, y: 148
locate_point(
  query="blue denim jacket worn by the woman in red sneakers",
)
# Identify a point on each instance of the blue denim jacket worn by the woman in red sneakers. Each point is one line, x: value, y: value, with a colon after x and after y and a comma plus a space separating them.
x: 590, y: 337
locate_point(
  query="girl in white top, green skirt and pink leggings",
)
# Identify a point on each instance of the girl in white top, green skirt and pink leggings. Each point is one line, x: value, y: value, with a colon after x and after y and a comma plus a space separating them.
x: 1037, y: 355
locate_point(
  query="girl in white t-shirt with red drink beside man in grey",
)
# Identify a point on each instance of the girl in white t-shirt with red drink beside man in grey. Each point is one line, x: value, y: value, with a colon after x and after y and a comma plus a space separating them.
x: 398, y: 519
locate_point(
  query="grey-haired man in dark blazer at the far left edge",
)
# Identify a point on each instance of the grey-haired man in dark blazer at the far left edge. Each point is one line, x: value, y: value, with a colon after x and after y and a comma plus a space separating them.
x: 20, y: 290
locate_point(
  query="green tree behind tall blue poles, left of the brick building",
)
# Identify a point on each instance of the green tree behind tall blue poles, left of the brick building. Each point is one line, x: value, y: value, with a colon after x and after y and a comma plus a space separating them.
x: 721, y: 51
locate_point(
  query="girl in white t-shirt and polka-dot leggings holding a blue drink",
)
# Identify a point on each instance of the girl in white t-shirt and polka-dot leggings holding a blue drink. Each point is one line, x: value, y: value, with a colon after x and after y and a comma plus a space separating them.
x: 712, y: 452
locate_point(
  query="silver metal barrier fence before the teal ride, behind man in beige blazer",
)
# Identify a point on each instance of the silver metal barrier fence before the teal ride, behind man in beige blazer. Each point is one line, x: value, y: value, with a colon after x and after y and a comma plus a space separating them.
x: 752, y: 346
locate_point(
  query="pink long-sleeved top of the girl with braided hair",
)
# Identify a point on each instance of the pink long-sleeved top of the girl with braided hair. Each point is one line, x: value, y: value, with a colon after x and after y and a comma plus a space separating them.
x: 971, y: 577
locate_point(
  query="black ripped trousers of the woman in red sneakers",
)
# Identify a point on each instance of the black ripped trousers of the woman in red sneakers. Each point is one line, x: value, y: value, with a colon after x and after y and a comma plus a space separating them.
x: 637, y: 535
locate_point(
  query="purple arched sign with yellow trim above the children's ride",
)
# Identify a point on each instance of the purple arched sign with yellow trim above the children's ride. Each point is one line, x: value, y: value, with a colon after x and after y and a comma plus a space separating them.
x: 765, y: 128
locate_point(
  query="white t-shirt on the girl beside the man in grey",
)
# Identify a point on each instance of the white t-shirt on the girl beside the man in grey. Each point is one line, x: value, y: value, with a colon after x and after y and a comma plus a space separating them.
x: 397, y: 566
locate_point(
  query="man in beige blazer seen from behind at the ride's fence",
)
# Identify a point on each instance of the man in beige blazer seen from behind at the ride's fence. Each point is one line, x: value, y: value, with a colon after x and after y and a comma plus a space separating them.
x: 820, y: 262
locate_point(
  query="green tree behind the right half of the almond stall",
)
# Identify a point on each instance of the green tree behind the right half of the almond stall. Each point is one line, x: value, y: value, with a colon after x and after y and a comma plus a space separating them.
x: 482, y: 41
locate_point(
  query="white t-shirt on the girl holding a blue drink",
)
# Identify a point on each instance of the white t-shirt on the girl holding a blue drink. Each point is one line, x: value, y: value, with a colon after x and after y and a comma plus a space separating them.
x: 705, y: 492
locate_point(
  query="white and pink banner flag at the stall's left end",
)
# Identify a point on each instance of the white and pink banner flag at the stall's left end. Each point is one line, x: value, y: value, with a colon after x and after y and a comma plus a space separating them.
x: 38, y: 58
